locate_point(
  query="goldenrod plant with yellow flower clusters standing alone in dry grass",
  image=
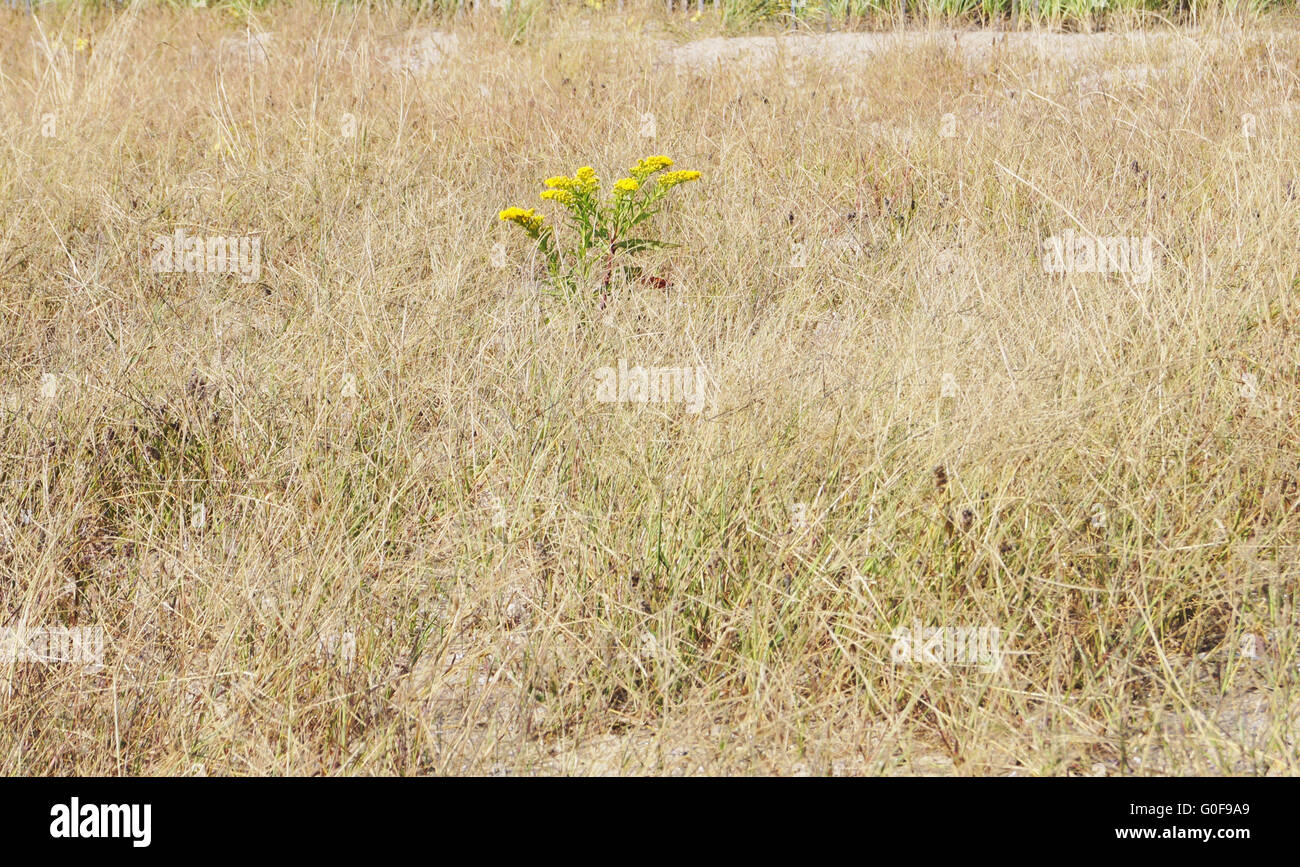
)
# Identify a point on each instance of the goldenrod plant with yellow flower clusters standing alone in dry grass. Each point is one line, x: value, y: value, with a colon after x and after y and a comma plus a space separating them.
x: 608, y: 231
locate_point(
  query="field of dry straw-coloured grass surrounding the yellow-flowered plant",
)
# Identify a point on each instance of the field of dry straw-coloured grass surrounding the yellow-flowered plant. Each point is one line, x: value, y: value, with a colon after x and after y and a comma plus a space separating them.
x: 359, y: 508
